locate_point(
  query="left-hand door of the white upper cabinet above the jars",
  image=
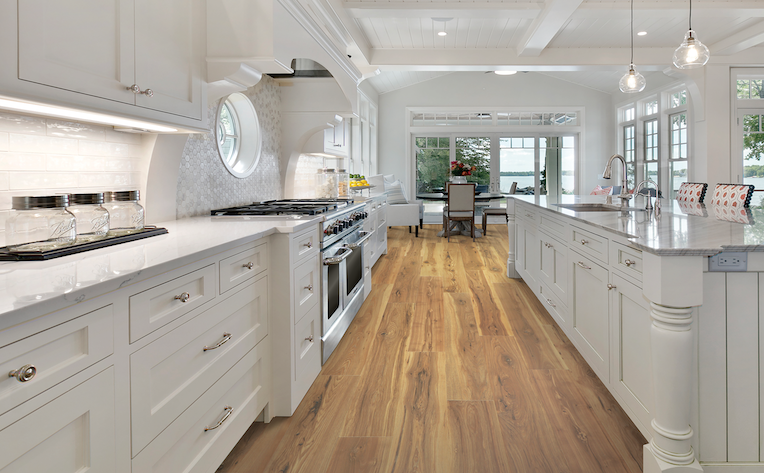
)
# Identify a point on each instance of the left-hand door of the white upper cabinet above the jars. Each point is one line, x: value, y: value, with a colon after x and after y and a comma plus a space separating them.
x: 84, y: 46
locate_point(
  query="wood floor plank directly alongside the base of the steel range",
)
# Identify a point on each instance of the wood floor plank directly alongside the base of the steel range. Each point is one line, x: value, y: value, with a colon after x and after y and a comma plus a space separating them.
x: 351, y: 355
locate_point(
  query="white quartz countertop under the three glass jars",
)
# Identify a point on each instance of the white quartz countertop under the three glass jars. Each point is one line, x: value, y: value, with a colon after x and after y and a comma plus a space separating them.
x: 47, y: 285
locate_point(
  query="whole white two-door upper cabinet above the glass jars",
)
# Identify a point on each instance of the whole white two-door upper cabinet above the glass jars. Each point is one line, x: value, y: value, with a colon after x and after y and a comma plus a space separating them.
x: 88, y: 53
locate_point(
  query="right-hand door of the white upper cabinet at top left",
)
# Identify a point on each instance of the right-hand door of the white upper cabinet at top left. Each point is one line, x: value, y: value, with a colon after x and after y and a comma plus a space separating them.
x: 167, y: 52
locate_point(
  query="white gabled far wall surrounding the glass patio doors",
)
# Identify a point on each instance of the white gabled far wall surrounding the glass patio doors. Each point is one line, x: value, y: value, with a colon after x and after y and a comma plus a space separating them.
x: 478, y: 89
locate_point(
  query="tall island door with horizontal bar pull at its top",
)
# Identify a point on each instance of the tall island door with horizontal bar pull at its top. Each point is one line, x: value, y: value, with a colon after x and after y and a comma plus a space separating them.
x: 590, y: 312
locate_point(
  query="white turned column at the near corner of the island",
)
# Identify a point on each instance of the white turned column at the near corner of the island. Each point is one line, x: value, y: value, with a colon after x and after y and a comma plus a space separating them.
x: 673, y: 285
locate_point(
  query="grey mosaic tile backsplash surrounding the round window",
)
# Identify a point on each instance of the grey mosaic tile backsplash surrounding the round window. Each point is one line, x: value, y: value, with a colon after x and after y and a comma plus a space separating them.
x: 203, y: 181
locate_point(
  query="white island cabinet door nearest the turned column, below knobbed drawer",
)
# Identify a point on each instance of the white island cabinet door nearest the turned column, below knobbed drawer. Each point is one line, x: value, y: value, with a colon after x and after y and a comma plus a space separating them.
x: 631, y: 362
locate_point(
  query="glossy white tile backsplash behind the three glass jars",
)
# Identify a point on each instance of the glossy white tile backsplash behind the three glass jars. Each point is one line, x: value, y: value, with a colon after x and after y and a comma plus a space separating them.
x: 43, y: 156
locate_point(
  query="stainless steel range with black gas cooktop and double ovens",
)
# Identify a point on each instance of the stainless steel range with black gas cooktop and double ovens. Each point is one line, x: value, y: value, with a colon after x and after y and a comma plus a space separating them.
x: 342, y: 240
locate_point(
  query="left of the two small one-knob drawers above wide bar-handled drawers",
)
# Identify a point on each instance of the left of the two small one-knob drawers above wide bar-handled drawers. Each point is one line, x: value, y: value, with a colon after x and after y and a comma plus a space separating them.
x: 164, y: 303
